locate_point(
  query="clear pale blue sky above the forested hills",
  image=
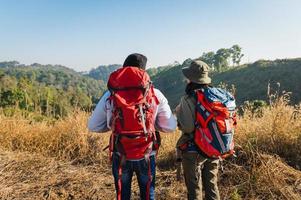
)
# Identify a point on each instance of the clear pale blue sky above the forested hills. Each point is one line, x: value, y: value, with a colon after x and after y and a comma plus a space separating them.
x: 84, y: 34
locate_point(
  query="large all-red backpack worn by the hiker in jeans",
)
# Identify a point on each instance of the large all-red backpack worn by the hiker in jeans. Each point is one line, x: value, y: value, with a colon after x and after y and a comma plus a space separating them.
x: 133, y: 120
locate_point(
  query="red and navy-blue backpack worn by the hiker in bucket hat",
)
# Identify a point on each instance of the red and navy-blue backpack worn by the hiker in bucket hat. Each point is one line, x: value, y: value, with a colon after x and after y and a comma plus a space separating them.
x: 215, y: 122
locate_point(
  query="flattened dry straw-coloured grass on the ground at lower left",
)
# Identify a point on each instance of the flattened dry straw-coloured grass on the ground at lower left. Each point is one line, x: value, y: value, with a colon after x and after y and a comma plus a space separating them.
x: 32, y: 176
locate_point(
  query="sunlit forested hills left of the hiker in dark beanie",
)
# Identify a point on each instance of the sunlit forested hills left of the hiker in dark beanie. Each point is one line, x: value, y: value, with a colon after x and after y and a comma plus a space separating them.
x: 51, y: 90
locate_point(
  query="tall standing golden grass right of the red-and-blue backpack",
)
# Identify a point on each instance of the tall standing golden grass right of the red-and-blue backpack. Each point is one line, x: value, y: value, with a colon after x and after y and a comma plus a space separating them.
x: 276, y: 129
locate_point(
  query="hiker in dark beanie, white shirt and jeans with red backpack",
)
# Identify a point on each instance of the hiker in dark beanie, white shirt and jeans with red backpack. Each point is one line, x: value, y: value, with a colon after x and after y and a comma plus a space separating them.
x: 134, y: 111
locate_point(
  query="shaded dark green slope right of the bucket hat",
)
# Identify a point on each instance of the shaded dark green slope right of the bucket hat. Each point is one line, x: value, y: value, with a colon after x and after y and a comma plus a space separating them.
x: 251, y: 81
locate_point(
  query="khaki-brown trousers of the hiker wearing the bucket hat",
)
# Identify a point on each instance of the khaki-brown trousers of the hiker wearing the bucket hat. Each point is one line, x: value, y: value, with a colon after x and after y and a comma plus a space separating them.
x: 198, y: 172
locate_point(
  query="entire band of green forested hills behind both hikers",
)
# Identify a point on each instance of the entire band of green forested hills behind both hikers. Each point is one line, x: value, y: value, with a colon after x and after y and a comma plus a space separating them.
x: 55, y: 90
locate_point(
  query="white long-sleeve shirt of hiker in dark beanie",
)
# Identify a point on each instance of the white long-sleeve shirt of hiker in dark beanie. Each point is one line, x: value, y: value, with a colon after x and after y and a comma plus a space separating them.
x: 101, y: 117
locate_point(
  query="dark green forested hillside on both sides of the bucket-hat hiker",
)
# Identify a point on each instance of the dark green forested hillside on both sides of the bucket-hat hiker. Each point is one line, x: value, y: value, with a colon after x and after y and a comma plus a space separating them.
x: 251, y: 81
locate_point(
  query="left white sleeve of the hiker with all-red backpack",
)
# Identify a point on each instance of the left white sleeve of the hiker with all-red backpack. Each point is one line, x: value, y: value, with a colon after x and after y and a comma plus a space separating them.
x: 98, y: 120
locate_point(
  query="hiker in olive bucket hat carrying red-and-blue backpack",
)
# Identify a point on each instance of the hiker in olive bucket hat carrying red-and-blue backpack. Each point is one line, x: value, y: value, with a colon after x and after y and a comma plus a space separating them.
x: 206, y: 117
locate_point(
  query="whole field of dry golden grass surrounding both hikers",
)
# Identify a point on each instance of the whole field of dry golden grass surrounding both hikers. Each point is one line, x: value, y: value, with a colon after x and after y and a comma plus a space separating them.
x: 62, y: 160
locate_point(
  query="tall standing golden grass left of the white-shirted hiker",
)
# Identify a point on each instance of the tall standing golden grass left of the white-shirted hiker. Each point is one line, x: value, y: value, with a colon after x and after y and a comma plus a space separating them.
x: 66, y: 139
